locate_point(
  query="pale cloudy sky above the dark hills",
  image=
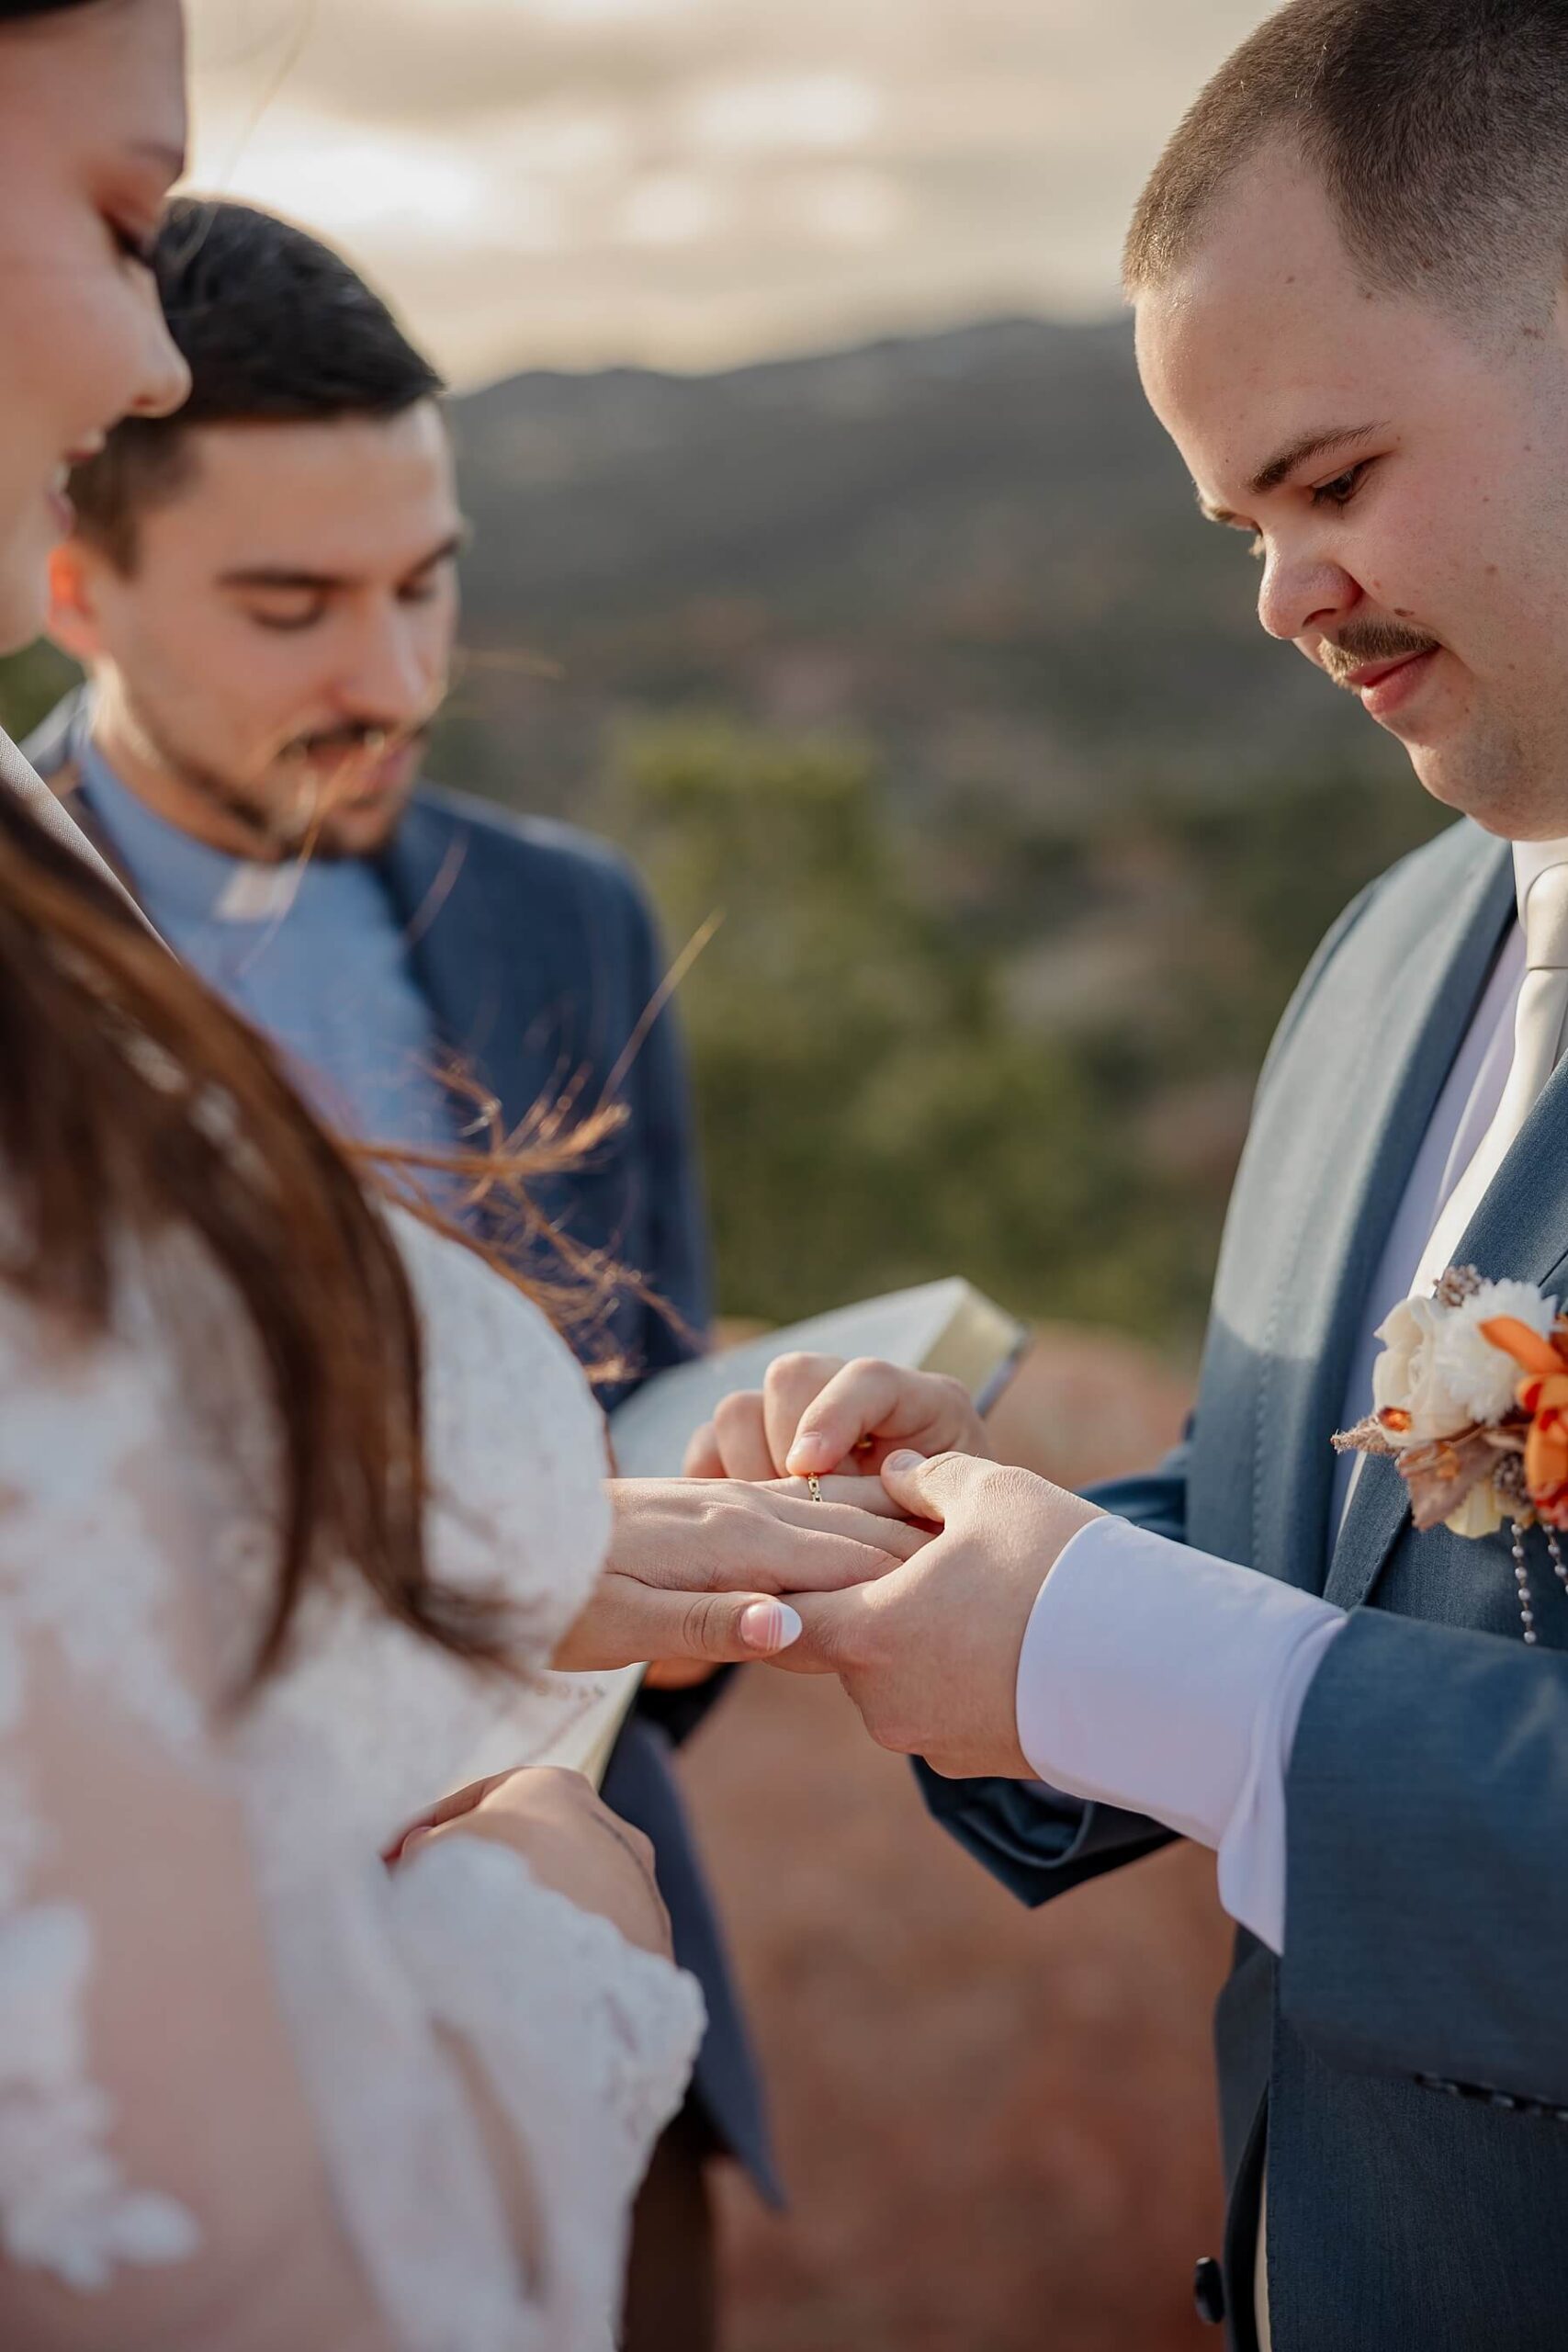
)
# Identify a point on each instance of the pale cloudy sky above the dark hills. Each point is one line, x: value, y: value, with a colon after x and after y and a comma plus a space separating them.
x: 702, y: 182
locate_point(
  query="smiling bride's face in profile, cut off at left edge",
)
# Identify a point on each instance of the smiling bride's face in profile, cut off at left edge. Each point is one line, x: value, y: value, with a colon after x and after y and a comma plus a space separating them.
x: 93, y: 133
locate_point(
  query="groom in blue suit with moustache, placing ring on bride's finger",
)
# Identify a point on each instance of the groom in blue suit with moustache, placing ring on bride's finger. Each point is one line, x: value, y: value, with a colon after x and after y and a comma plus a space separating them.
x: 1353, y: 319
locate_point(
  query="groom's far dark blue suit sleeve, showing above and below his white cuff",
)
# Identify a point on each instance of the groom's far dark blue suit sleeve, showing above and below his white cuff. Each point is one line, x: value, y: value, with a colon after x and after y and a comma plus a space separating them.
x: 1031, y: 1838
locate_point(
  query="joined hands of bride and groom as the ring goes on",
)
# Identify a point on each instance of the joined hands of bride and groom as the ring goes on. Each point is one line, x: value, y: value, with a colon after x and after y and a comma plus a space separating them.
x: 913, y: 1586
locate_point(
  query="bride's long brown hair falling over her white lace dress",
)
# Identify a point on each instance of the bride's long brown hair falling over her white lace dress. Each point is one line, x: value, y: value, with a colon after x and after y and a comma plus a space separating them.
x: 133, y: 1100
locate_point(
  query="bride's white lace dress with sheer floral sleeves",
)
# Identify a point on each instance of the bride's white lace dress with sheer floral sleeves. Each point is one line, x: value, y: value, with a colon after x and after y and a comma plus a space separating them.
x: 257, y: 2090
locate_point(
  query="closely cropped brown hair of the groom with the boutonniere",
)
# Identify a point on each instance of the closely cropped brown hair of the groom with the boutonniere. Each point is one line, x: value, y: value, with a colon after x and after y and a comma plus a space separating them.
x: 1440, y: 131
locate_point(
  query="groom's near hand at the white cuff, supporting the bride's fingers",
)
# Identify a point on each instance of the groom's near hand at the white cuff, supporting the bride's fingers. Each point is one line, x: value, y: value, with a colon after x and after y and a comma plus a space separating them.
x: 930, y: 1652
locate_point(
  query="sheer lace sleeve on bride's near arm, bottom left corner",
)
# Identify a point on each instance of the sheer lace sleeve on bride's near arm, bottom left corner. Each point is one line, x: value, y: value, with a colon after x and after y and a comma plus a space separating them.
x: 154, y: 2137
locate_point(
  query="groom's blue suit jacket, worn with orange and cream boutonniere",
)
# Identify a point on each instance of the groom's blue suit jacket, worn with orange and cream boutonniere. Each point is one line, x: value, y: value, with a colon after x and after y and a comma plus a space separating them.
x: 1405, y: 2071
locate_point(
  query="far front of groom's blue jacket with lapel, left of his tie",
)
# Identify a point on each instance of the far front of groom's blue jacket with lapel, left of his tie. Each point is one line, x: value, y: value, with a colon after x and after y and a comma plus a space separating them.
x: 1341, y: 1114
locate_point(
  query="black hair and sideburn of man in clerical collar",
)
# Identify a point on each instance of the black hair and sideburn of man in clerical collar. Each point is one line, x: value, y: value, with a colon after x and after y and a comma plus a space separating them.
x: 276, y: 328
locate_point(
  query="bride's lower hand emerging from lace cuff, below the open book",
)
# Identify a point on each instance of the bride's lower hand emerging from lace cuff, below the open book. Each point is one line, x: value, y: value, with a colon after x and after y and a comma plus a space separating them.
x: 568, y: 1838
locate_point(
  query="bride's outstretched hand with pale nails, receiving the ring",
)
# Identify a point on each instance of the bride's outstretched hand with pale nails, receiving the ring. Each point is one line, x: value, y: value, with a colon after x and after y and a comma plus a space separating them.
x: 697, y: 1568
